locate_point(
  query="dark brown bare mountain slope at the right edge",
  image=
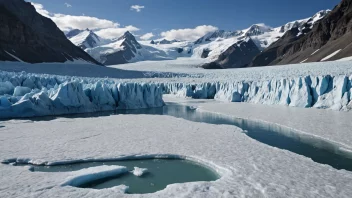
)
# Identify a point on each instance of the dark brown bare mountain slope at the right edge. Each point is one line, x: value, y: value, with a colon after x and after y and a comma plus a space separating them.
x: 327, y: 37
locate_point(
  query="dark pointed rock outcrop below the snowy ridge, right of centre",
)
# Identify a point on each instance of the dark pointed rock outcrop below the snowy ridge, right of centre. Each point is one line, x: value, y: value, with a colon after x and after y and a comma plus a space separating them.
x: 238, y: 55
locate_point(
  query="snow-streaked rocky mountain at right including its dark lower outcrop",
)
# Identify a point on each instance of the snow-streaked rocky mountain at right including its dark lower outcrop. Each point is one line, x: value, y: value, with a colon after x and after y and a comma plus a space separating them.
x: 259, y: 34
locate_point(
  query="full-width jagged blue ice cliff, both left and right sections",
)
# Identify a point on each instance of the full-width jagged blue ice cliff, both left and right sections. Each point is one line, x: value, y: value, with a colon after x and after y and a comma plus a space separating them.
x: 27, y: 95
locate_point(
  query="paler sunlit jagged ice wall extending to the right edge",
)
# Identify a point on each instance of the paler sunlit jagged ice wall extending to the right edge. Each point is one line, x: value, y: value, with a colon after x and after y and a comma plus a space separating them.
x: 328, y: 92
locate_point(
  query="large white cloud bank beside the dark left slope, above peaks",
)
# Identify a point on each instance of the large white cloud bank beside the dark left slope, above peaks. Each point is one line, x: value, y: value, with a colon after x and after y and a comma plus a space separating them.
x: 105, y: 28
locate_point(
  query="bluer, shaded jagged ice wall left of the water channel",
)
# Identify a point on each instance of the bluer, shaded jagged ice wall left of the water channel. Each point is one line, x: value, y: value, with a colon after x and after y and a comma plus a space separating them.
x: 27, y: 95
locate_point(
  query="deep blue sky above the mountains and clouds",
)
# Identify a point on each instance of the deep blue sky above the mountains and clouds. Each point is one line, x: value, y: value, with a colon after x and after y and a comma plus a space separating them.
x: 163, y: 15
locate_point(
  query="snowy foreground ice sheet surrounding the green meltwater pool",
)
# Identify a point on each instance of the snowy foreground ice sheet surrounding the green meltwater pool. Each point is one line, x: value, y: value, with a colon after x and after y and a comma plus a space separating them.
x: 247, y: 168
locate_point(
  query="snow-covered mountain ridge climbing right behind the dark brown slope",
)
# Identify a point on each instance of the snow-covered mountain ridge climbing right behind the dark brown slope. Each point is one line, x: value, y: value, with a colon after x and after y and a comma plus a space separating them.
x: 262, y: 35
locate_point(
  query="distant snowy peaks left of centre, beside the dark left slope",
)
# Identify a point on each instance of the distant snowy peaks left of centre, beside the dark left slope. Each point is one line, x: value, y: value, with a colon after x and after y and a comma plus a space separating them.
x: 127, y: 49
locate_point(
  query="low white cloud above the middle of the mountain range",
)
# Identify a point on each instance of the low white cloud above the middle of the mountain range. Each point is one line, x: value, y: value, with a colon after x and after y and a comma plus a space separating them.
x: 188, y: 34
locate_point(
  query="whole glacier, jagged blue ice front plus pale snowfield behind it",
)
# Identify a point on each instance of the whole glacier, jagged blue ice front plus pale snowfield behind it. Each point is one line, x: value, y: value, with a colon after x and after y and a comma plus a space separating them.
x: 323, y: 86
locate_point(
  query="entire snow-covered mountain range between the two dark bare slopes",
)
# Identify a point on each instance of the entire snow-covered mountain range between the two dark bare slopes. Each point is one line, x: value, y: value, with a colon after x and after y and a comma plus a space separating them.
x: 211, y: 46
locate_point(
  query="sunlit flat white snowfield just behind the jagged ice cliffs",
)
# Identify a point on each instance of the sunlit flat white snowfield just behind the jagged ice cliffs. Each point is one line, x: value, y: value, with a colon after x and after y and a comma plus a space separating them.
x: 191, y: 66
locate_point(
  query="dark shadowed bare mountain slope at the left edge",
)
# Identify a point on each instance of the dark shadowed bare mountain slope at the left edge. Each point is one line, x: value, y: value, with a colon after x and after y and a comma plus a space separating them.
x: 31, y: 37
